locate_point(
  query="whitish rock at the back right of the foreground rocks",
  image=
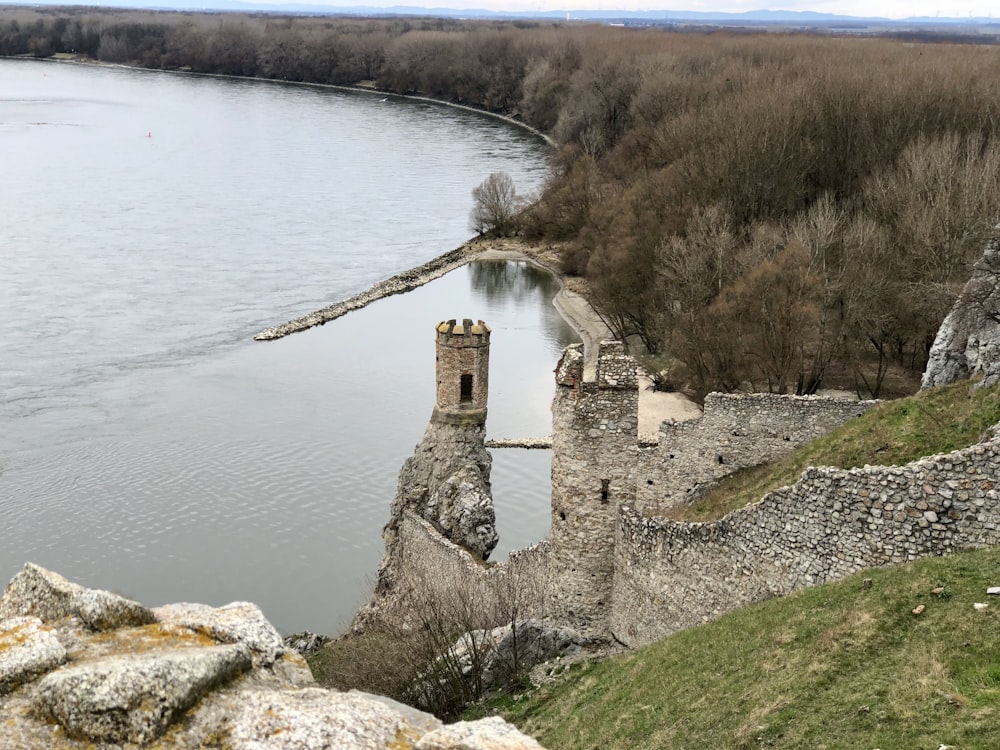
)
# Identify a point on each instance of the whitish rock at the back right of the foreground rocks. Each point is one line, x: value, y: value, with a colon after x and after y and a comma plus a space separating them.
x: 238, y: 622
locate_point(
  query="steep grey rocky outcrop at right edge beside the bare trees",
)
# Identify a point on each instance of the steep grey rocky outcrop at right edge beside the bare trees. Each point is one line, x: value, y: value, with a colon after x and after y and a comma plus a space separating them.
x: 968, y: 343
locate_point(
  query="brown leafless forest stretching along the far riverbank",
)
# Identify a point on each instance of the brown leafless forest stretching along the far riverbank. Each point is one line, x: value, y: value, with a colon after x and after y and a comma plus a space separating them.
x: 774, y: 211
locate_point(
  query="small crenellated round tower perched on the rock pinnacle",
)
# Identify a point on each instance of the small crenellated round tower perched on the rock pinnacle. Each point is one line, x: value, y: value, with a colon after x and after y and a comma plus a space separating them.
x: 463, y: 371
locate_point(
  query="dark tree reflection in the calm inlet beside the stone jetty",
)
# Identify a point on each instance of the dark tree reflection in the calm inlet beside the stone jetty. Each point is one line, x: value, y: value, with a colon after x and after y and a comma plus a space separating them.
x: 518, y: 283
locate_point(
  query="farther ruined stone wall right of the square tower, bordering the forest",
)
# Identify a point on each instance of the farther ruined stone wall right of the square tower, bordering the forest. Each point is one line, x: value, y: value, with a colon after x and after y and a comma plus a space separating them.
x: 735, y: 431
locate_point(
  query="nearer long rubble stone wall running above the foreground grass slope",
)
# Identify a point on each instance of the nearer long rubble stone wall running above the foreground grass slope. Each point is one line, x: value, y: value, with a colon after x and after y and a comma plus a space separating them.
x: 671, y: 575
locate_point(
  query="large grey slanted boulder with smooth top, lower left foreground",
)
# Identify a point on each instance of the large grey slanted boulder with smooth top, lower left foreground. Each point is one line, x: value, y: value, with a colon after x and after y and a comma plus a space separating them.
x: 133, y: 698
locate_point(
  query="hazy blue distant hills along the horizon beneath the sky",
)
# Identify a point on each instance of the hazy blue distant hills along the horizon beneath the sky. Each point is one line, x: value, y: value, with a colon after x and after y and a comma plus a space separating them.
x: 642, y: 17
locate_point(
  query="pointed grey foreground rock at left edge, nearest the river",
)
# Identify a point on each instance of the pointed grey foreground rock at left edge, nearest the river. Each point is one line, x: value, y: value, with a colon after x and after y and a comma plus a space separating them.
x: 41, y: 593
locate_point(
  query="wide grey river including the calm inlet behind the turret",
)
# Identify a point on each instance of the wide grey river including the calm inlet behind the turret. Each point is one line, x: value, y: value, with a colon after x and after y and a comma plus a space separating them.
x: 151, y: 224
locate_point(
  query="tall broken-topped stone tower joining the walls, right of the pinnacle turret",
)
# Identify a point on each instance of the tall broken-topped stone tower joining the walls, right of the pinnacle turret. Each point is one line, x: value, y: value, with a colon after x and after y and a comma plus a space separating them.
x: 594, y: 460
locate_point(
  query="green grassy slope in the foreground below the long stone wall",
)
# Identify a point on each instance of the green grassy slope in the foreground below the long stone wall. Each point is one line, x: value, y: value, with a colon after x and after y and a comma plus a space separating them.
x: 836, y: 666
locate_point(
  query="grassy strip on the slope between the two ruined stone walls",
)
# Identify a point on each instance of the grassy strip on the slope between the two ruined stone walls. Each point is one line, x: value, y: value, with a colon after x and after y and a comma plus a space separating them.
x: 896, y: 432
